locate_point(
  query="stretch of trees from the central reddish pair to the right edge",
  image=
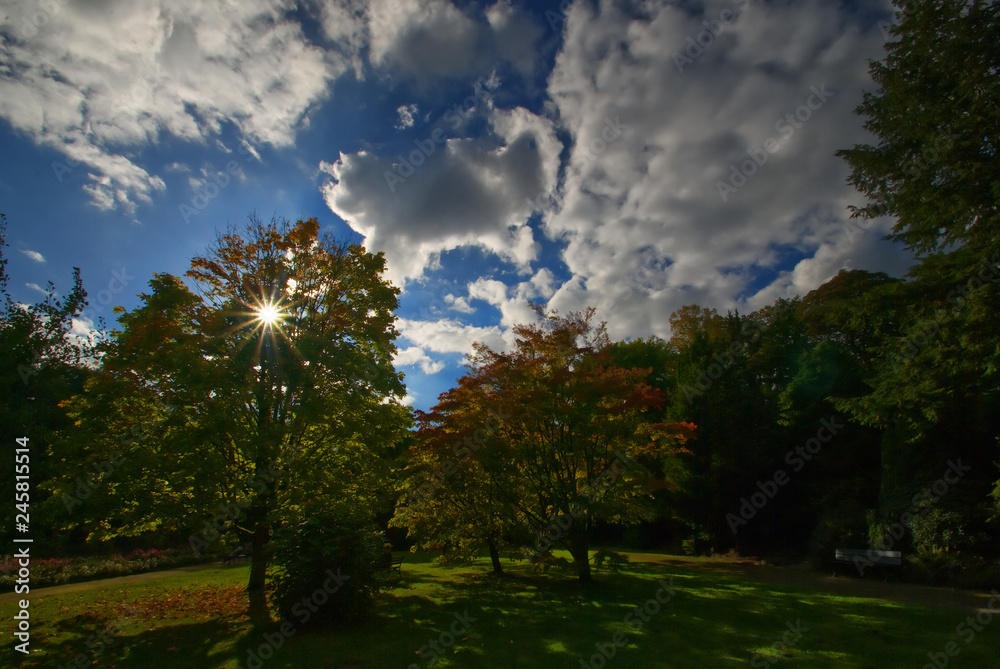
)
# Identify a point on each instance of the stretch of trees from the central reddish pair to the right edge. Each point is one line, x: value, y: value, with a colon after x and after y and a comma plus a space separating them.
x: 851, y: 417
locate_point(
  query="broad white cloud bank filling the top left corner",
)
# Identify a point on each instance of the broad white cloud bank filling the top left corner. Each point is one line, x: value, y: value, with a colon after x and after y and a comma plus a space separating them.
x: 99, y: 82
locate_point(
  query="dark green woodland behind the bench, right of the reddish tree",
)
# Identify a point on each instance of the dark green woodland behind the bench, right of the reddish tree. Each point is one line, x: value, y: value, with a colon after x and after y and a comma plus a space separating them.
x: 852, y: 417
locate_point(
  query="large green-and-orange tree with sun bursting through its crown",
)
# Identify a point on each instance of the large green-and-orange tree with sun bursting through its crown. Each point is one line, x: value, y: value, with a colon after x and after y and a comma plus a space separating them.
x: 281, y: 365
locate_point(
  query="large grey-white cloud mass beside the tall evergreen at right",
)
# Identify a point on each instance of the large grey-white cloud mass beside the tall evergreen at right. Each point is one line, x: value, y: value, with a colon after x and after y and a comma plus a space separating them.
x: 658, y: 204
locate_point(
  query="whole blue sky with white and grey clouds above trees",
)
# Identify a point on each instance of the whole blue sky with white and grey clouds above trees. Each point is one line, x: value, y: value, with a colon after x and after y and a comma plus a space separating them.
x: 632, y: 156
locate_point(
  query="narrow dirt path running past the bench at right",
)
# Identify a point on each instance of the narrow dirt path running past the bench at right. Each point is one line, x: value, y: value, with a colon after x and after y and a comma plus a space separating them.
x: 873, y: 587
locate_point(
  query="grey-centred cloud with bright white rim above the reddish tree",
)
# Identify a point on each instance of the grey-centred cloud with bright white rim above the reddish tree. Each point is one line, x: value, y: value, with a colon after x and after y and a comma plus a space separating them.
x: 450, y: 193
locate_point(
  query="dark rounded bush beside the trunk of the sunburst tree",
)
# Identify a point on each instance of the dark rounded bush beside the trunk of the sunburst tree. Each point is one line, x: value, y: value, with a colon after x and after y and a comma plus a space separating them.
x: 310, y: 555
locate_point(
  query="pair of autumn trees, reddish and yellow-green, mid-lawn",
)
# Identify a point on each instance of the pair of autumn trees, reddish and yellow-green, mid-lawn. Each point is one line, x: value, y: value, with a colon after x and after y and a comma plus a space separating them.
x: 547, y: 438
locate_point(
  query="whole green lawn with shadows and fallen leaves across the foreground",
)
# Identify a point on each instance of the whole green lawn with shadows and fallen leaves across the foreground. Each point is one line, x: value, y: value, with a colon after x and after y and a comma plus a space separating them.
x: 712, y: 619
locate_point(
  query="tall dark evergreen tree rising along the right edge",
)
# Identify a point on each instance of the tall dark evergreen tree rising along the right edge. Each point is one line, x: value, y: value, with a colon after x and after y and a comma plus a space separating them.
x: 935, y: 386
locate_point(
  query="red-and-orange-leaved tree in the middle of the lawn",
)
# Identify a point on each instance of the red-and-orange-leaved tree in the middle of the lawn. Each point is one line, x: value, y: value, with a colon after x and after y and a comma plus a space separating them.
x: 572, y: 444
